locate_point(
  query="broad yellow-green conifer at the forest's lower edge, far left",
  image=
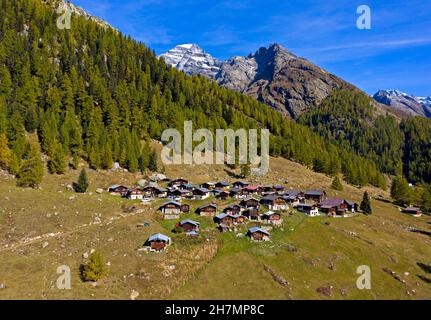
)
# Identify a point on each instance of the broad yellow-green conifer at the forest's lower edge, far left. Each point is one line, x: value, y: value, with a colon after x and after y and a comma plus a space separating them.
x: 30, y: 173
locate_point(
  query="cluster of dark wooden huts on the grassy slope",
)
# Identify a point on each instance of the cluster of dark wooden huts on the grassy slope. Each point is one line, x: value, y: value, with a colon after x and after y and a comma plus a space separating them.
x: 250, y: 199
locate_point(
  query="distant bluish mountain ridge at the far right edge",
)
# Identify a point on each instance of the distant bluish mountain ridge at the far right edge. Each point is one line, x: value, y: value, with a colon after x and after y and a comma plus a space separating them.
x: 404, y: 103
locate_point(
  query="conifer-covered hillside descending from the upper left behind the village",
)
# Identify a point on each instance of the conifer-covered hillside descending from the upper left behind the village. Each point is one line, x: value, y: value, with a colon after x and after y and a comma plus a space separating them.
x: 91, y: 93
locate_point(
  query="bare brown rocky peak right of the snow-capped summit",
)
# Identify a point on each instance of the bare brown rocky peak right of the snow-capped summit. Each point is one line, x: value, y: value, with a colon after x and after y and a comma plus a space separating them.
x: 278, y: 78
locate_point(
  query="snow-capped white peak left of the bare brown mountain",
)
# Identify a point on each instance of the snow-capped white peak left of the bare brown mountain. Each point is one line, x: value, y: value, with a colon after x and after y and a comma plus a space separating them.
x: 192, y: 59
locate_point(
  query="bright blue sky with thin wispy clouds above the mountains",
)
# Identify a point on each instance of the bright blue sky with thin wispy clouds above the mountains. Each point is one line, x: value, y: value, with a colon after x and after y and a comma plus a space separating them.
x: 394, y: 54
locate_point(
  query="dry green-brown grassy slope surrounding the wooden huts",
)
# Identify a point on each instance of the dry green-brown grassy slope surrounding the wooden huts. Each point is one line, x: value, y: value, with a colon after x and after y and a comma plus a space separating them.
x: 223, y: 267
